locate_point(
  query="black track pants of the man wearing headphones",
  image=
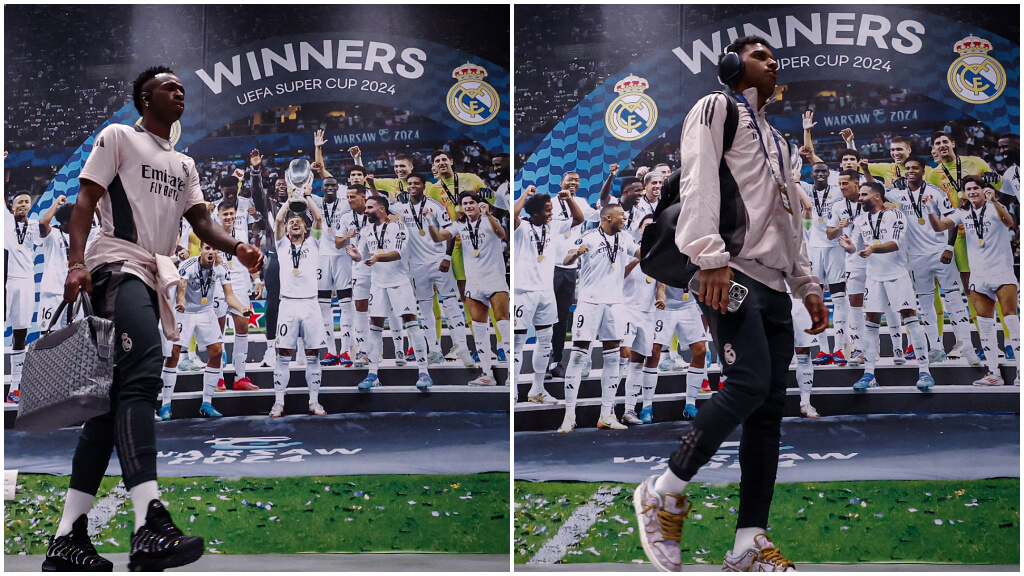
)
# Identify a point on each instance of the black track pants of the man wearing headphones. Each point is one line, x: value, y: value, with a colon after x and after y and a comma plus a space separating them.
x: 755, y: 346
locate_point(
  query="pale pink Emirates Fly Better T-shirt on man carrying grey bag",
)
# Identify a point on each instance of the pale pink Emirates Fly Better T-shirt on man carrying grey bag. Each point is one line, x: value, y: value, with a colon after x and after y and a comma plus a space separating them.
x: 149, y: 188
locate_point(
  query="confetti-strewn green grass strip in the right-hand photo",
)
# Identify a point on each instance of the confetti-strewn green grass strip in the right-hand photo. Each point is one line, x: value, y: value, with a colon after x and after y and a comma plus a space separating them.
x: 974, y: 522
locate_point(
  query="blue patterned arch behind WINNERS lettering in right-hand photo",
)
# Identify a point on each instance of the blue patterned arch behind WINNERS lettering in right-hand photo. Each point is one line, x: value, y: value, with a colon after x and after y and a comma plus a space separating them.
x: 581, y: 142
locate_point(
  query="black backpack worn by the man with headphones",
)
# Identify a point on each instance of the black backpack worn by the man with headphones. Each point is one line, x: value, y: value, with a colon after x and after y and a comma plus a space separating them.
x: 660, y: 259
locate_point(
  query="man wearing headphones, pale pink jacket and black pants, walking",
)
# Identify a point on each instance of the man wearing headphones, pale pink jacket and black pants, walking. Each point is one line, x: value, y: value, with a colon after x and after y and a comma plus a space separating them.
x: 756, y: 341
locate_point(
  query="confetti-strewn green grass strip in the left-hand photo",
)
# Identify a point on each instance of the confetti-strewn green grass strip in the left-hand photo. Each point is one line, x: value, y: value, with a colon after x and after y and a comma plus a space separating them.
x: 426, y: 514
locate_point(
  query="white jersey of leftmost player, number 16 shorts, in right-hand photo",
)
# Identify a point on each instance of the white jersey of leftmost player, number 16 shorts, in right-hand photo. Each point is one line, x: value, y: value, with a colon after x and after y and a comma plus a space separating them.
x: 532, y: 271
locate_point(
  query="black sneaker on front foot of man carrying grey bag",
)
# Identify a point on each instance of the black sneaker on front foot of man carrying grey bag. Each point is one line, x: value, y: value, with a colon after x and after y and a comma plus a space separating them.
x: 159, y: 545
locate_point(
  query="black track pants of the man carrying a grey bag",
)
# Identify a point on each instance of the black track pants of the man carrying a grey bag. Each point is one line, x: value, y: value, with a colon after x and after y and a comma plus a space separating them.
x: 139, y: 361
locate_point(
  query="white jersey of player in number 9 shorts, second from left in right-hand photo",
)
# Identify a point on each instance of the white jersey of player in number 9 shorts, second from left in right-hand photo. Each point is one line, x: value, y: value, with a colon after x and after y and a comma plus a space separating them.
x: 602, y: 280
